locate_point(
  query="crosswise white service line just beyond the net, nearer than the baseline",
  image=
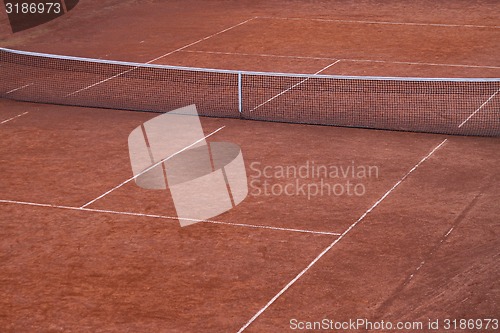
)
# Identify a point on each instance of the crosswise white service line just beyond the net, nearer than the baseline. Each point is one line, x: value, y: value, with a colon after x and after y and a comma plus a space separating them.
x: 343, y: 59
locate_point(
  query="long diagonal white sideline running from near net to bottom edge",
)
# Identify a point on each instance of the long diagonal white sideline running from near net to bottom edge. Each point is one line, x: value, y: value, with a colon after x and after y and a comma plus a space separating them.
x: 338, y: 239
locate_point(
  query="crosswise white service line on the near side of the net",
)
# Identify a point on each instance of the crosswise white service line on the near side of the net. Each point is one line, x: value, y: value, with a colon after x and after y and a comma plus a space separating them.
x: 105, y: 211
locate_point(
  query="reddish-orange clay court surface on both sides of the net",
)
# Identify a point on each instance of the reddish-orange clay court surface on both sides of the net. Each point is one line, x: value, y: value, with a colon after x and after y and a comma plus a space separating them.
x: 421, y: 244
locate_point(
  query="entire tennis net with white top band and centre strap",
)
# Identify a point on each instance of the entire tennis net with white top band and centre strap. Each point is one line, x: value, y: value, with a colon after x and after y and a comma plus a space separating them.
x: 448, y: 106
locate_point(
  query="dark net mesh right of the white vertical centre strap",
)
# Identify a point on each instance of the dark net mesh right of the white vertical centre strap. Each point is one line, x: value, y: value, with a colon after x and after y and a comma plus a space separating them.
x: 406, y: 105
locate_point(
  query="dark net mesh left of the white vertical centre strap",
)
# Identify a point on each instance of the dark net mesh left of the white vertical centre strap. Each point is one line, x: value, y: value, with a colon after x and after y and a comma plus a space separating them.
x: 114, y: 85
